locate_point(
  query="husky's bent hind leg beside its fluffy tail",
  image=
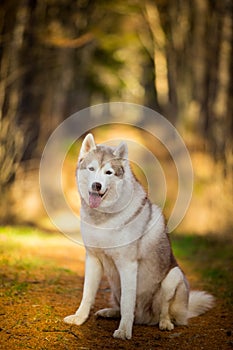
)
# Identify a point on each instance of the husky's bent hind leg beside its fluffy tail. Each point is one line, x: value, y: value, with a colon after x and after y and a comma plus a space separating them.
x: 173, y: 295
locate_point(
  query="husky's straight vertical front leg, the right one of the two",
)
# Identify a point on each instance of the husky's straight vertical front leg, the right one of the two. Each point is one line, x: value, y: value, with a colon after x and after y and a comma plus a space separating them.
x: 128, y: 276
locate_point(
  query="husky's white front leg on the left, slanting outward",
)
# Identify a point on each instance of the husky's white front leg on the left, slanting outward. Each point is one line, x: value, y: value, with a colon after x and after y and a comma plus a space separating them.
x: 93, y: 274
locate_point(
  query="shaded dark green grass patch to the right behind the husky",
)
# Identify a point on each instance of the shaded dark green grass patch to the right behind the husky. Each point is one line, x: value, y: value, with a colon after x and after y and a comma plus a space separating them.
x: 211, y: 258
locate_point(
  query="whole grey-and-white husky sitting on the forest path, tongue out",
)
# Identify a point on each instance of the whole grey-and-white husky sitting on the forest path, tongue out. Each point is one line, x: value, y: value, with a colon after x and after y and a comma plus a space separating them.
x: 125, y: 238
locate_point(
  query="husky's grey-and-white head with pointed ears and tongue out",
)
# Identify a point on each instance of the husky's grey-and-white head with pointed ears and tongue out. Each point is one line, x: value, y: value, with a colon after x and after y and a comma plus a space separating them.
x: 102, y: 174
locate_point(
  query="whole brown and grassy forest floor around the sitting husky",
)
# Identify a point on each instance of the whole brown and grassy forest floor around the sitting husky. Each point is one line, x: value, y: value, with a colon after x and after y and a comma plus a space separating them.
x: 41, y: 283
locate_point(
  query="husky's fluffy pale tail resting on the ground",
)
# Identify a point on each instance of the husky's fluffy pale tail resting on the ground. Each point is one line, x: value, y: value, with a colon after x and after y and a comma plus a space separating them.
x: 199, y: 302
